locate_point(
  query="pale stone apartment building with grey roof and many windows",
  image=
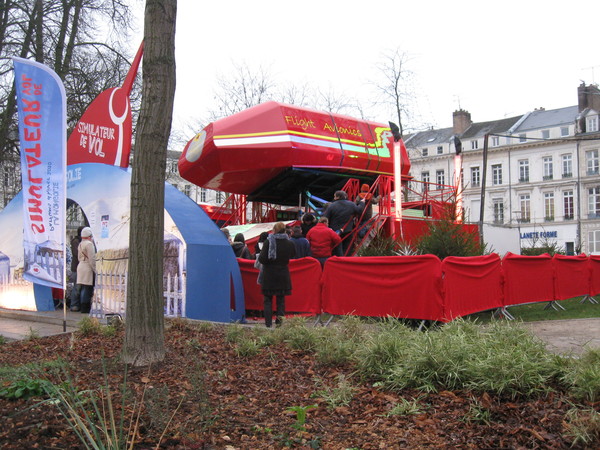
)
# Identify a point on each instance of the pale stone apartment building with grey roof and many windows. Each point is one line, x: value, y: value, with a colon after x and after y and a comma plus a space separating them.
x: 541, y: 181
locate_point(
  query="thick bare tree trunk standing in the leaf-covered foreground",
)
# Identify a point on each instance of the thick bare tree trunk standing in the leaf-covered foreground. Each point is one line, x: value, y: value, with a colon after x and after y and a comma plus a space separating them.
x: 144, y: 332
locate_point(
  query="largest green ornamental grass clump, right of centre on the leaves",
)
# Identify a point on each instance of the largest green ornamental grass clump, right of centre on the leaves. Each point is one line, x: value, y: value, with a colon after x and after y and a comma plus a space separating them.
x: 502, y: 358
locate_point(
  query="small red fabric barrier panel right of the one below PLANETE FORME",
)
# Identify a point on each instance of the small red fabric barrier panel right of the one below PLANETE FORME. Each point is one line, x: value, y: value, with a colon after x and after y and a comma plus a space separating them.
x: 572, y: 276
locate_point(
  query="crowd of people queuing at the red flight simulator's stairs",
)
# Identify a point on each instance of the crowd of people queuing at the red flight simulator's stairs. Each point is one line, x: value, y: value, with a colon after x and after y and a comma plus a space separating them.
x: 322, y: 238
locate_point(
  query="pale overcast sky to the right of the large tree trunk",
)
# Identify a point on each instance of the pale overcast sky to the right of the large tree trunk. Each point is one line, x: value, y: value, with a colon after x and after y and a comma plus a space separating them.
x: 494, y: 59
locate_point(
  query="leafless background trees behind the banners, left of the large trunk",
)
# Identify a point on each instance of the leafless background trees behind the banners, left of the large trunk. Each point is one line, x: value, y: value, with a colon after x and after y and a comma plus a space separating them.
x: 82, y: 40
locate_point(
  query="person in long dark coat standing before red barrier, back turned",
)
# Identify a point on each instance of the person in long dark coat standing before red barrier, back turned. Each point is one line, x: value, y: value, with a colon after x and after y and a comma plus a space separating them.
x: 276, y: 281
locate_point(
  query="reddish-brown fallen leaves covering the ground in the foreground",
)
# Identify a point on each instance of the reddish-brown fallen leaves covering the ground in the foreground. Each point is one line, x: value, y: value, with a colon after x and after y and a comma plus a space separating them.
x: 244, y: 403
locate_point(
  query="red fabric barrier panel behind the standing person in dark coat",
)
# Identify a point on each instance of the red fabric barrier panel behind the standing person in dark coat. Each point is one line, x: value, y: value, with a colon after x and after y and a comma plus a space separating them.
x: 306, y: 286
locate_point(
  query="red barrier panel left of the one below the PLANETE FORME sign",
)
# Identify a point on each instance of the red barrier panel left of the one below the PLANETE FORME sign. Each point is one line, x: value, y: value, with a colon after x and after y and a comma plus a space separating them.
x: 471, y: 284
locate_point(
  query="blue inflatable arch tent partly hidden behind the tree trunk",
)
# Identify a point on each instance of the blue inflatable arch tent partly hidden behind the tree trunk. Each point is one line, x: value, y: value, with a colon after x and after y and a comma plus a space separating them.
x: 214, y: 289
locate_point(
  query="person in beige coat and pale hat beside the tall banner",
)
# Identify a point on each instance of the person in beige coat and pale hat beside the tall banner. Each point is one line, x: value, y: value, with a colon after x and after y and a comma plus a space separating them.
x: 86, y: 270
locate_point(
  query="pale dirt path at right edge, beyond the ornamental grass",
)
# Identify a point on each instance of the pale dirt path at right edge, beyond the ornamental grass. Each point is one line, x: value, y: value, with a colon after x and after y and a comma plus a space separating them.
x: 567, y: 336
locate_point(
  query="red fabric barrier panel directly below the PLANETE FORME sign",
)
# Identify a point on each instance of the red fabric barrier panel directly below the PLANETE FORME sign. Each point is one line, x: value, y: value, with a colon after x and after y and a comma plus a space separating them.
x: 527, y: 279
